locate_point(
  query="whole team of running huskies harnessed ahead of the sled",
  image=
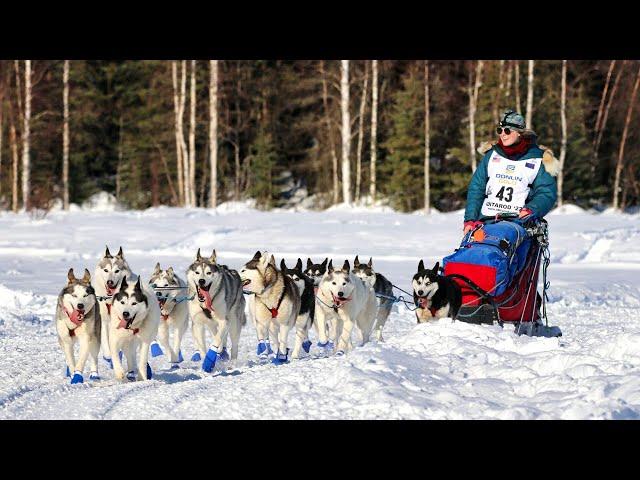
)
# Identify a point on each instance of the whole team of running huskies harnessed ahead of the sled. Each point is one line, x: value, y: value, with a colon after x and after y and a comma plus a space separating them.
x: 115, y: 310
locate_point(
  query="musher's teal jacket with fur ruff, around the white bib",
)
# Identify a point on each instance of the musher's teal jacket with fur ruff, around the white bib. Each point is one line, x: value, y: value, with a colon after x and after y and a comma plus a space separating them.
x: 544, y: 191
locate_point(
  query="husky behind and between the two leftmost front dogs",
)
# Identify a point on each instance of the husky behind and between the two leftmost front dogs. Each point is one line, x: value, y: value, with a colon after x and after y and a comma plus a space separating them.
x: 107, y: 278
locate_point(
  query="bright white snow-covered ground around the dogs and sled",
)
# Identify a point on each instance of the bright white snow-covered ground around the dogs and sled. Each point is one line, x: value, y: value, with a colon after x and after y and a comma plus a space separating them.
x: 437, y: 370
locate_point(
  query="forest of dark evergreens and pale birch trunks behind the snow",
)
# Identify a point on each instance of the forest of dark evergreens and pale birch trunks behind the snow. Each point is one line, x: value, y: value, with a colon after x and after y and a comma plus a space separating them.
x: 202, y: 132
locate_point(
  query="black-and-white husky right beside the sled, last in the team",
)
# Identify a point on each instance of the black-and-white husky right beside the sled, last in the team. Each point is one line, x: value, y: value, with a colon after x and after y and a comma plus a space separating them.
x: 434, y: 295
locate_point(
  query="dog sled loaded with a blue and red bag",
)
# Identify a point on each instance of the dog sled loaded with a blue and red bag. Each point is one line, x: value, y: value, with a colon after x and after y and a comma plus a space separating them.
x: 497, y: 267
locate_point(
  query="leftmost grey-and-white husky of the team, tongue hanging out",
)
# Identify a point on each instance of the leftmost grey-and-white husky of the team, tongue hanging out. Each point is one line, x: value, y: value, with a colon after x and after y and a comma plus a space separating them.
x: 78, y: 319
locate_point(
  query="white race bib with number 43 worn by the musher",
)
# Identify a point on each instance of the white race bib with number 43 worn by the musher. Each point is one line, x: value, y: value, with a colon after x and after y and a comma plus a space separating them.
x: 508, y: 184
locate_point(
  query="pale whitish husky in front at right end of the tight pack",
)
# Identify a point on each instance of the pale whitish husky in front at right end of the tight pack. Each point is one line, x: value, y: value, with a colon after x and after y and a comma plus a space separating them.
x: 346, y: 300
